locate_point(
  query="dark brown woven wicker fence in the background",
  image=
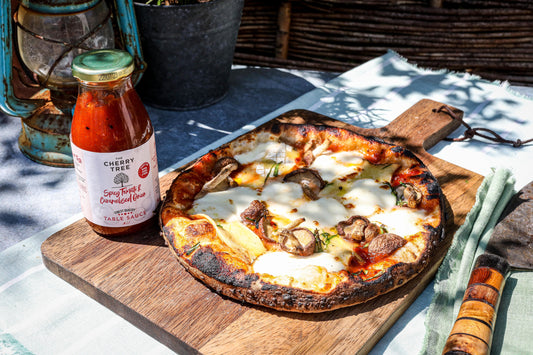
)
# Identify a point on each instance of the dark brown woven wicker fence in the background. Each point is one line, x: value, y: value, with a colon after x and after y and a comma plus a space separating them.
x: 493, y: 39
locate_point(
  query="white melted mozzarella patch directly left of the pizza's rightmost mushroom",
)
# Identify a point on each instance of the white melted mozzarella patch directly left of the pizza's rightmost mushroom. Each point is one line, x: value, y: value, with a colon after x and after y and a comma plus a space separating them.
x: 367, y: 197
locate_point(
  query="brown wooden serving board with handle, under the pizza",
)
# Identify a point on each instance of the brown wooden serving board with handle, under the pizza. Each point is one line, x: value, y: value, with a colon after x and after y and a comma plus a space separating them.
x: 138, y: 277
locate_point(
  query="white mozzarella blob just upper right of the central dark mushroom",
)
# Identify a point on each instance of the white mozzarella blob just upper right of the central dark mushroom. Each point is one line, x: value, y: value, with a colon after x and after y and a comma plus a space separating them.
x: 337, y: 165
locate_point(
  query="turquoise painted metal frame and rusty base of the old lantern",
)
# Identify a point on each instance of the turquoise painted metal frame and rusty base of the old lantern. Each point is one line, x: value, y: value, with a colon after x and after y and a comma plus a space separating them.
x: 45, y: 130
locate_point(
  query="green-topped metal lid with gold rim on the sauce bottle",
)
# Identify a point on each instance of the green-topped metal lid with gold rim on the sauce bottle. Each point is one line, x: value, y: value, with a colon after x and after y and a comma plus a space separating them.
x: 102, y: 65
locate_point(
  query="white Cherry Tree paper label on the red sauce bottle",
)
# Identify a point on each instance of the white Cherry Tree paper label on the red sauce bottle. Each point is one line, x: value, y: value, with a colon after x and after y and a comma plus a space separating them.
x: 118, y: 189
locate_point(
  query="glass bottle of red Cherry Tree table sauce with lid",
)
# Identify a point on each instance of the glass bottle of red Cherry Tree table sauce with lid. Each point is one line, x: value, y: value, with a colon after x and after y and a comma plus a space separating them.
x: 113, y: 145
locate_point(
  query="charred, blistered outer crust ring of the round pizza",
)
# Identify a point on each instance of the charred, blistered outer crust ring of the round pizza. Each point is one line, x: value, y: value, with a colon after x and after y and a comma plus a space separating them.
x: 194, y: 240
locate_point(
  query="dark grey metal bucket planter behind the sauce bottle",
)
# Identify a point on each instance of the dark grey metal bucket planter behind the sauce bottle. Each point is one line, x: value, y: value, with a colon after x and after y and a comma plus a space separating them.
x: 188, y: 46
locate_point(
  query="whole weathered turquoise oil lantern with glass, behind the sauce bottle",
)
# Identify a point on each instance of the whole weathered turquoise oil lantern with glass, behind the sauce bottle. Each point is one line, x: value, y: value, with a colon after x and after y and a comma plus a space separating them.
x: 49, y: 34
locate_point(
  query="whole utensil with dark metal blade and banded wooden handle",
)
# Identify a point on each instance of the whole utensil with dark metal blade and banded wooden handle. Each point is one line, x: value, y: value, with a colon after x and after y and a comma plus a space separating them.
x: 510, y: 246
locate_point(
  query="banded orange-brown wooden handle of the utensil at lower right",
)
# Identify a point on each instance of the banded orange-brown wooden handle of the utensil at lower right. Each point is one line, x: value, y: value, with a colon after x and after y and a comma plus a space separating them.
x: 472, y: 331
